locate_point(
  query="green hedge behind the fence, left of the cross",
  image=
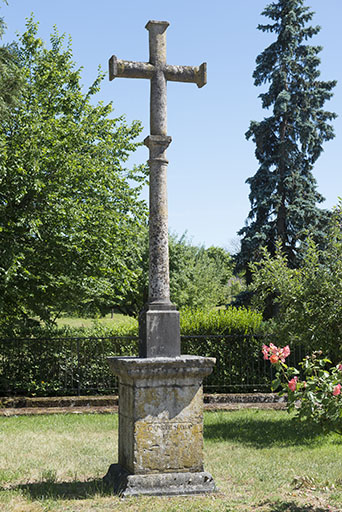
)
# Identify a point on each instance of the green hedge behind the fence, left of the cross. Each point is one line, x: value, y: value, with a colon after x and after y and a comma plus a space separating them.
x: 65, y: 360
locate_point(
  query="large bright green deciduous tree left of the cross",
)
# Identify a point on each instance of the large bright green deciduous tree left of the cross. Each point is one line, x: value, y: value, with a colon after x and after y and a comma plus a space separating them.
x: 69, y: 209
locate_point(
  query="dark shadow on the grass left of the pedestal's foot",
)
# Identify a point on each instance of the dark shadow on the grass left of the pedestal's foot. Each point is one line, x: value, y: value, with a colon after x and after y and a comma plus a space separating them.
x: 66, y: 490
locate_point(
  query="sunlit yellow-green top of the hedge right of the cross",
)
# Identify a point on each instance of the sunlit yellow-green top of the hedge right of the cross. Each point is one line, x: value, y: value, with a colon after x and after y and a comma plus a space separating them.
x: 220, y: 321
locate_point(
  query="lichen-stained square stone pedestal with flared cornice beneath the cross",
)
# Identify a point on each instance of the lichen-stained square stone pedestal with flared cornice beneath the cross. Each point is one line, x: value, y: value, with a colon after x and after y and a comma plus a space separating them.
x: 160, y: 426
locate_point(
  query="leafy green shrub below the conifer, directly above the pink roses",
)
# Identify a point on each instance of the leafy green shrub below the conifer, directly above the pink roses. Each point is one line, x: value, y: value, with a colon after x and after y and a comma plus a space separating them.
x: 309, y: 299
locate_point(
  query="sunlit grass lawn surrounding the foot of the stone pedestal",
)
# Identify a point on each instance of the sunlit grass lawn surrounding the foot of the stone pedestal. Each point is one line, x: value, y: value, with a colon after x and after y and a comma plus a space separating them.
x: 261, y: 461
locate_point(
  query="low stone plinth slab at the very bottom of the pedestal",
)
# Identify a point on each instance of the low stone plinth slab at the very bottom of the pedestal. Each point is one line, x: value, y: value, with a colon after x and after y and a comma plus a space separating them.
x: 158, y: 484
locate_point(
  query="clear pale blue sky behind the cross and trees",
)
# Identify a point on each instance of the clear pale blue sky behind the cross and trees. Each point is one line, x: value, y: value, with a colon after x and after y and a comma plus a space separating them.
x: 209, y: 158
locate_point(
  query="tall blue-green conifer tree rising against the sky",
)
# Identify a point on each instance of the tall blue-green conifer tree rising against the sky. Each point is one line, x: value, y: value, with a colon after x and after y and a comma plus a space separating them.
x: 283, y: 192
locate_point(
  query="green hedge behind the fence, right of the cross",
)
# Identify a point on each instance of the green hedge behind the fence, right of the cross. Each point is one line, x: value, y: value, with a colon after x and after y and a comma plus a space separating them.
x: 232, y: 337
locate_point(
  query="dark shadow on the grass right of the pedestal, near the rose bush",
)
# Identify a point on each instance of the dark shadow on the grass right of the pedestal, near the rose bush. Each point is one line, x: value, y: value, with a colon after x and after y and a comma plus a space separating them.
x: 261, y: 432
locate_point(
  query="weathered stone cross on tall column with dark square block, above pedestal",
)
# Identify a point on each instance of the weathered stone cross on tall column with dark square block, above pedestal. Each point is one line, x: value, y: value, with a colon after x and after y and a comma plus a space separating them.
x: 159, y: 323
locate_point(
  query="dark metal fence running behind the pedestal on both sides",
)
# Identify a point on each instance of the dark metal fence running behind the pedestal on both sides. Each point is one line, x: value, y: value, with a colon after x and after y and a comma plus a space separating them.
x: 78, y: 366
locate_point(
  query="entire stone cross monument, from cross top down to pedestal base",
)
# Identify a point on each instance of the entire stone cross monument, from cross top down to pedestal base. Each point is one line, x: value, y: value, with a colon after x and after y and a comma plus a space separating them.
x: 161, y: 402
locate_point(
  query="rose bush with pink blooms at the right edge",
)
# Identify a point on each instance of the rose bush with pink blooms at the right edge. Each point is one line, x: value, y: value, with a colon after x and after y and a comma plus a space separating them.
x: 314, y: 392
